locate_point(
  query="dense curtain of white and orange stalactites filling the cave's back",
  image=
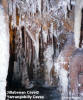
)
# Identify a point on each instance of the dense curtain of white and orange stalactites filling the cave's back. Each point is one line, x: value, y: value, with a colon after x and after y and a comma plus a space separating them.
x: 41, y: 28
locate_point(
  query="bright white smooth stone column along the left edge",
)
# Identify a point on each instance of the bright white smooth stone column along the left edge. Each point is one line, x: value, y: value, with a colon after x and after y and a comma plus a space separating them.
x: 4, y: 52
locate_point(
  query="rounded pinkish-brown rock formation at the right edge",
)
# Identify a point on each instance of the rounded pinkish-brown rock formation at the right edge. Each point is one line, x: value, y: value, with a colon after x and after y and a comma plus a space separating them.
x: 75, y: 71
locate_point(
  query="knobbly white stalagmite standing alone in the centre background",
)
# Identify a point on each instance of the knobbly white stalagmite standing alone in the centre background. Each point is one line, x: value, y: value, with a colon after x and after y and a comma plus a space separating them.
x: 48, y: 54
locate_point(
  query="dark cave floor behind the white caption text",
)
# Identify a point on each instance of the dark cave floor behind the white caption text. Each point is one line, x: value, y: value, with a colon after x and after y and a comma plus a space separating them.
x: 49, y: 93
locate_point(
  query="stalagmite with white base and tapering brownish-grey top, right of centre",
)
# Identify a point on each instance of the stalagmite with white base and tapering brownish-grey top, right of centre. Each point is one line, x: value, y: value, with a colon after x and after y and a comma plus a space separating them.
x: 61, y: 65
